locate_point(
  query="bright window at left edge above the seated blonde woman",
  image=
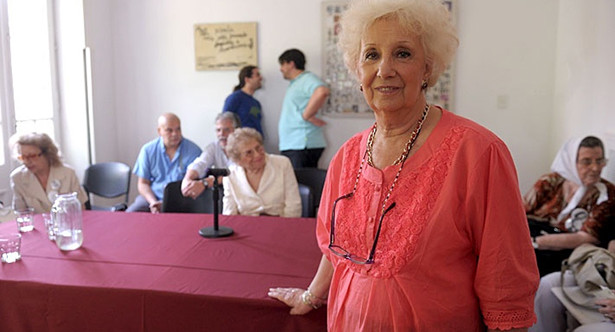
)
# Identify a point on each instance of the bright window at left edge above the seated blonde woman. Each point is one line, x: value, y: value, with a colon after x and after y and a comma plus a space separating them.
x: 27, y: 79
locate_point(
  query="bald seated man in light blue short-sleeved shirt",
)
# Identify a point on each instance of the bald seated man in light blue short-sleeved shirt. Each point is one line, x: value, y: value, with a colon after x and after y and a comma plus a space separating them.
x: 161, y: 161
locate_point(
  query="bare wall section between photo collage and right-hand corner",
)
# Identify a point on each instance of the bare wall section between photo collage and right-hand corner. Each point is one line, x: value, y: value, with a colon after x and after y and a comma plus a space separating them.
x: 506, y: 55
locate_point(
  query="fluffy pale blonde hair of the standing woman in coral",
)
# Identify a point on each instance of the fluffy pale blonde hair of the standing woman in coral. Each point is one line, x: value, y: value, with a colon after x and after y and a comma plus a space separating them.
x: 428, y: 19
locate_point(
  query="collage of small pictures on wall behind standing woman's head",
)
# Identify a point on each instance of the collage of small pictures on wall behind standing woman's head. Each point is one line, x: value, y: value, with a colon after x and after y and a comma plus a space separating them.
x: 346, y: 100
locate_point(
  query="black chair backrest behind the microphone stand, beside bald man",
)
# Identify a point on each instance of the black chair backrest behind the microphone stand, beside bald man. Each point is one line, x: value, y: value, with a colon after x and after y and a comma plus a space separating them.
x: 174, y: 201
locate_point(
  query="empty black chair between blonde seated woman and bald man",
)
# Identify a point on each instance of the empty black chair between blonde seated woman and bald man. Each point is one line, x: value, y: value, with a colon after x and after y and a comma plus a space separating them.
x: 108, y: 180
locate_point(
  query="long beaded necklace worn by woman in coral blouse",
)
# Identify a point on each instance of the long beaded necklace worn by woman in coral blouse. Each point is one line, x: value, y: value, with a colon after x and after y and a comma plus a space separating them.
x: 400, y: 160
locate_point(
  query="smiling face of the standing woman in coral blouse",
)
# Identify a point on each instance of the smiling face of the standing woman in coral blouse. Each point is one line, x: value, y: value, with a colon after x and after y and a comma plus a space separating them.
x: 392, y: 67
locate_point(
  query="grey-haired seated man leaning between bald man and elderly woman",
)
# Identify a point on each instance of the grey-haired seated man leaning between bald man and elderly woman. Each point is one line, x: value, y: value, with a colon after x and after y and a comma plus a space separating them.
x: 213, y: 155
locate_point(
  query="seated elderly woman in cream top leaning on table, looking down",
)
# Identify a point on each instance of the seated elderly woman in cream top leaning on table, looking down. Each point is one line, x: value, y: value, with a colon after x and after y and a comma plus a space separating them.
x: 259, y: 183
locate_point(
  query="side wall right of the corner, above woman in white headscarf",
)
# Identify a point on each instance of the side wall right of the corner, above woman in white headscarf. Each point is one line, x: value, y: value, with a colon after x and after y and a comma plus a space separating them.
x: 585, y: 74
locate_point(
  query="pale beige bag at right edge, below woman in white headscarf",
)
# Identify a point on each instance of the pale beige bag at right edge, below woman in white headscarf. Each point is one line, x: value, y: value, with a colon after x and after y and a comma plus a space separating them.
x: 594, y: 271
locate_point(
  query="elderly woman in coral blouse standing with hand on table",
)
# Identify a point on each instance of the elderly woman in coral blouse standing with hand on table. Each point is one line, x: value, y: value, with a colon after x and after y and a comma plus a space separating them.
x: 421, y: 222
